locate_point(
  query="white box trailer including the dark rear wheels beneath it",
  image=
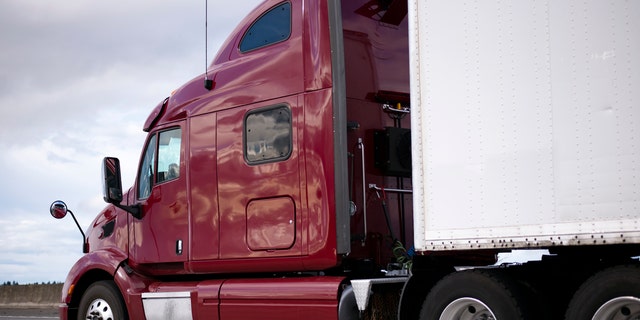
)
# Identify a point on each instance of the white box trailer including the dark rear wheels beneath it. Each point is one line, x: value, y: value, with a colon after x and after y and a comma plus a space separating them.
x: 525, y: 120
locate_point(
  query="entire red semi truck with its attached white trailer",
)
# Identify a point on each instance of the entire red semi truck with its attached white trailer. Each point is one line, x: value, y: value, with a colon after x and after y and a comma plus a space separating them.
x: 371, y: 158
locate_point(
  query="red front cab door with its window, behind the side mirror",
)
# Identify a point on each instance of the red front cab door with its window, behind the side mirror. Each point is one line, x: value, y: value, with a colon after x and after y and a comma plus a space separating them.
x: 160, y: 235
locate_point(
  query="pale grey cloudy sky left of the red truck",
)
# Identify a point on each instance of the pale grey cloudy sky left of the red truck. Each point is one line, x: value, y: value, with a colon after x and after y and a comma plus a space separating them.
x: 77, y: 81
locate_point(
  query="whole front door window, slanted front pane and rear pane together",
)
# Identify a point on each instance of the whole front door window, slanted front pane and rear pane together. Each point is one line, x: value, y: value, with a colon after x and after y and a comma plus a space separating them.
x: 161, y: 160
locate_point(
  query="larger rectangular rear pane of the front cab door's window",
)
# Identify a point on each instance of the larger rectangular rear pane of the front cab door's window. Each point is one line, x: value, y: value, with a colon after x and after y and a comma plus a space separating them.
x: 169, y: 155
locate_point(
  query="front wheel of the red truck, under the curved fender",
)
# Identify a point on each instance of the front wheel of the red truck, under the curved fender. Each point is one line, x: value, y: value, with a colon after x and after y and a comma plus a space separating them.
x: 102, y: 301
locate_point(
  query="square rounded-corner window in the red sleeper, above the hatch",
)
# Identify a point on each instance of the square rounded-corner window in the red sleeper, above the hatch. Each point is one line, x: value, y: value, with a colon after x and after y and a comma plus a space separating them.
x: 268, y: 135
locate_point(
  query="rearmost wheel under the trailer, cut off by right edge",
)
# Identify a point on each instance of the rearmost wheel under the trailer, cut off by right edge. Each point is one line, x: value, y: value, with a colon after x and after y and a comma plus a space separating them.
x: 610, y: 294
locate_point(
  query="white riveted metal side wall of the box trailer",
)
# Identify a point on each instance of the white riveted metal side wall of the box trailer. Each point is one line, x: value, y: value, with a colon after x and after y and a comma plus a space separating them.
x: 526, y: 122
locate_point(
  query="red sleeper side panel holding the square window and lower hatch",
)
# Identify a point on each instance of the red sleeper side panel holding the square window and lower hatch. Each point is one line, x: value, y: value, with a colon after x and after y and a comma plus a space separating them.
x: 261, y: 207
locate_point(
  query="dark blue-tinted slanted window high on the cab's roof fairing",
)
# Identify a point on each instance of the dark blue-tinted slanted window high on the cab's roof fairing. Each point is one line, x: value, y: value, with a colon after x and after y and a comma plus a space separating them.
x: 272, y: 27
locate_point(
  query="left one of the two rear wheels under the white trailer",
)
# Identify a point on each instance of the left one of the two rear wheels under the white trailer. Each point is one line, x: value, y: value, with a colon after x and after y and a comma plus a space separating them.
x: 475, y: 295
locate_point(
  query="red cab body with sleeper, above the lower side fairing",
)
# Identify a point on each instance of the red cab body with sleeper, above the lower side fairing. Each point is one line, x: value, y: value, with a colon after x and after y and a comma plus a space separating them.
x: 255, y: 170
